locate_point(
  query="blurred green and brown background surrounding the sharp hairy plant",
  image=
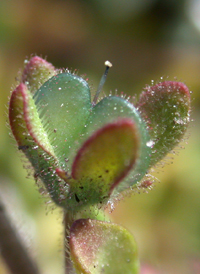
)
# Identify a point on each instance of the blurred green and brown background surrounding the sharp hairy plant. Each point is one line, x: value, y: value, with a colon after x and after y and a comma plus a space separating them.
x: 144, y: 40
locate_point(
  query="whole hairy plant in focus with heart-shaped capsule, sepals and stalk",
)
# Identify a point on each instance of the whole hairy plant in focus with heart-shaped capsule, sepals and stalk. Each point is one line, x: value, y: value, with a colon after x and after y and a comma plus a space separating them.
x: 86, y: 152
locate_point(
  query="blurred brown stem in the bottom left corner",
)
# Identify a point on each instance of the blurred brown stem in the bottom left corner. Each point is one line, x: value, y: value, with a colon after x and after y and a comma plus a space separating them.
x: 12, y: 250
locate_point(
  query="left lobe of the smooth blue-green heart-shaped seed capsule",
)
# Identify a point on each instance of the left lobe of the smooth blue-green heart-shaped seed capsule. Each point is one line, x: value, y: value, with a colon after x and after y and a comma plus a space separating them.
x: 63, y: 104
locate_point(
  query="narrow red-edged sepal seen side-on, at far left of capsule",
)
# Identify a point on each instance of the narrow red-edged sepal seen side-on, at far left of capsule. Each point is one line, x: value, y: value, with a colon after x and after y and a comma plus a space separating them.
x: 32, y: 140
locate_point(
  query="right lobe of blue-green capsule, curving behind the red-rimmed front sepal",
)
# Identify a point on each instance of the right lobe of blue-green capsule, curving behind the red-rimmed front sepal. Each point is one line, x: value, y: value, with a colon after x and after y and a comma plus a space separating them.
x: 110, y: 109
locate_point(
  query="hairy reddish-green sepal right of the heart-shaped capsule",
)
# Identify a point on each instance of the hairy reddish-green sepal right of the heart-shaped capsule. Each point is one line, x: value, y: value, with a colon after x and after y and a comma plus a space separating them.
x: 166, y: 109
